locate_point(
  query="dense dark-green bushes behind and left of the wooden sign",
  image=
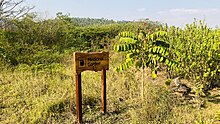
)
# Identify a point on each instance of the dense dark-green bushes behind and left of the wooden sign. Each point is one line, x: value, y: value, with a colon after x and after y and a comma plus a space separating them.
x: 34, y: 41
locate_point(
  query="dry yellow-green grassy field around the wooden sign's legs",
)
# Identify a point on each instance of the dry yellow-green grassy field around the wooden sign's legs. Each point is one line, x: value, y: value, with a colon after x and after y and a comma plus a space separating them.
x: 48, y: 96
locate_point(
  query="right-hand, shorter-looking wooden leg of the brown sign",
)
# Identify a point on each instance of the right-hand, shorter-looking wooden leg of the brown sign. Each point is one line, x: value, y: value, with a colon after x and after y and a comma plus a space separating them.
x: 103, y: 78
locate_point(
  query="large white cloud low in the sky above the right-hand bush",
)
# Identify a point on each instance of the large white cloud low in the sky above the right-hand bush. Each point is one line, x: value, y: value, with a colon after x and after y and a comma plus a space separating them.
x: 182, y: 16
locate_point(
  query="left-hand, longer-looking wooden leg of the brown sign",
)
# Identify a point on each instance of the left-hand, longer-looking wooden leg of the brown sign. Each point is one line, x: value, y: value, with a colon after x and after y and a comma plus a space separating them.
x: 78, y: 98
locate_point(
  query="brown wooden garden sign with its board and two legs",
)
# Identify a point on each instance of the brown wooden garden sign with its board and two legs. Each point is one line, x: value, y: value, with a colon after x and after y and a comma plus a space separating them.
x: 95, y: 61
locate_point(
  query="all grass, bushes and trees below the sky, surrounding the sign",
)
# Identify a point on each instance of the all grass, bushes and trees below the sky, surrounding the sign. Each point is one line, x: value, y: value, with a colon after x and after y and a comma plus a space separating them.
x: 37, y: 81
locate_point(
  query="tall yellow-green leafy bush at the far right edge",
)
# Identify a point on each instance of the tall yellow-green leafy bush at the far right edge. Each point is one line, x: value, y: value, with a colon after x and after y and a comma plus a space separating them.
x: 197, y: 48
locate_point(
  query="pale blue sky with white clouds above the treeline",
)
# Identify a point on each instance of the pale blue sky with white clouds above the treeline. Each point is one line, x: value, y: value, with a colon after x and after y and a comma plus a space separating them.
x: 172, y: 12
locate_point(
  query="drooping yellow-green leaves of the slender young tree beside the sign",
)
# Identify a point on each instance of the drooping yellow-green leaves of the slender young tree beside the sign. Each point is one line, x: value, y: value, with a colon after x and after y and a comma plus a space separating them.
x: 144, y: 50
